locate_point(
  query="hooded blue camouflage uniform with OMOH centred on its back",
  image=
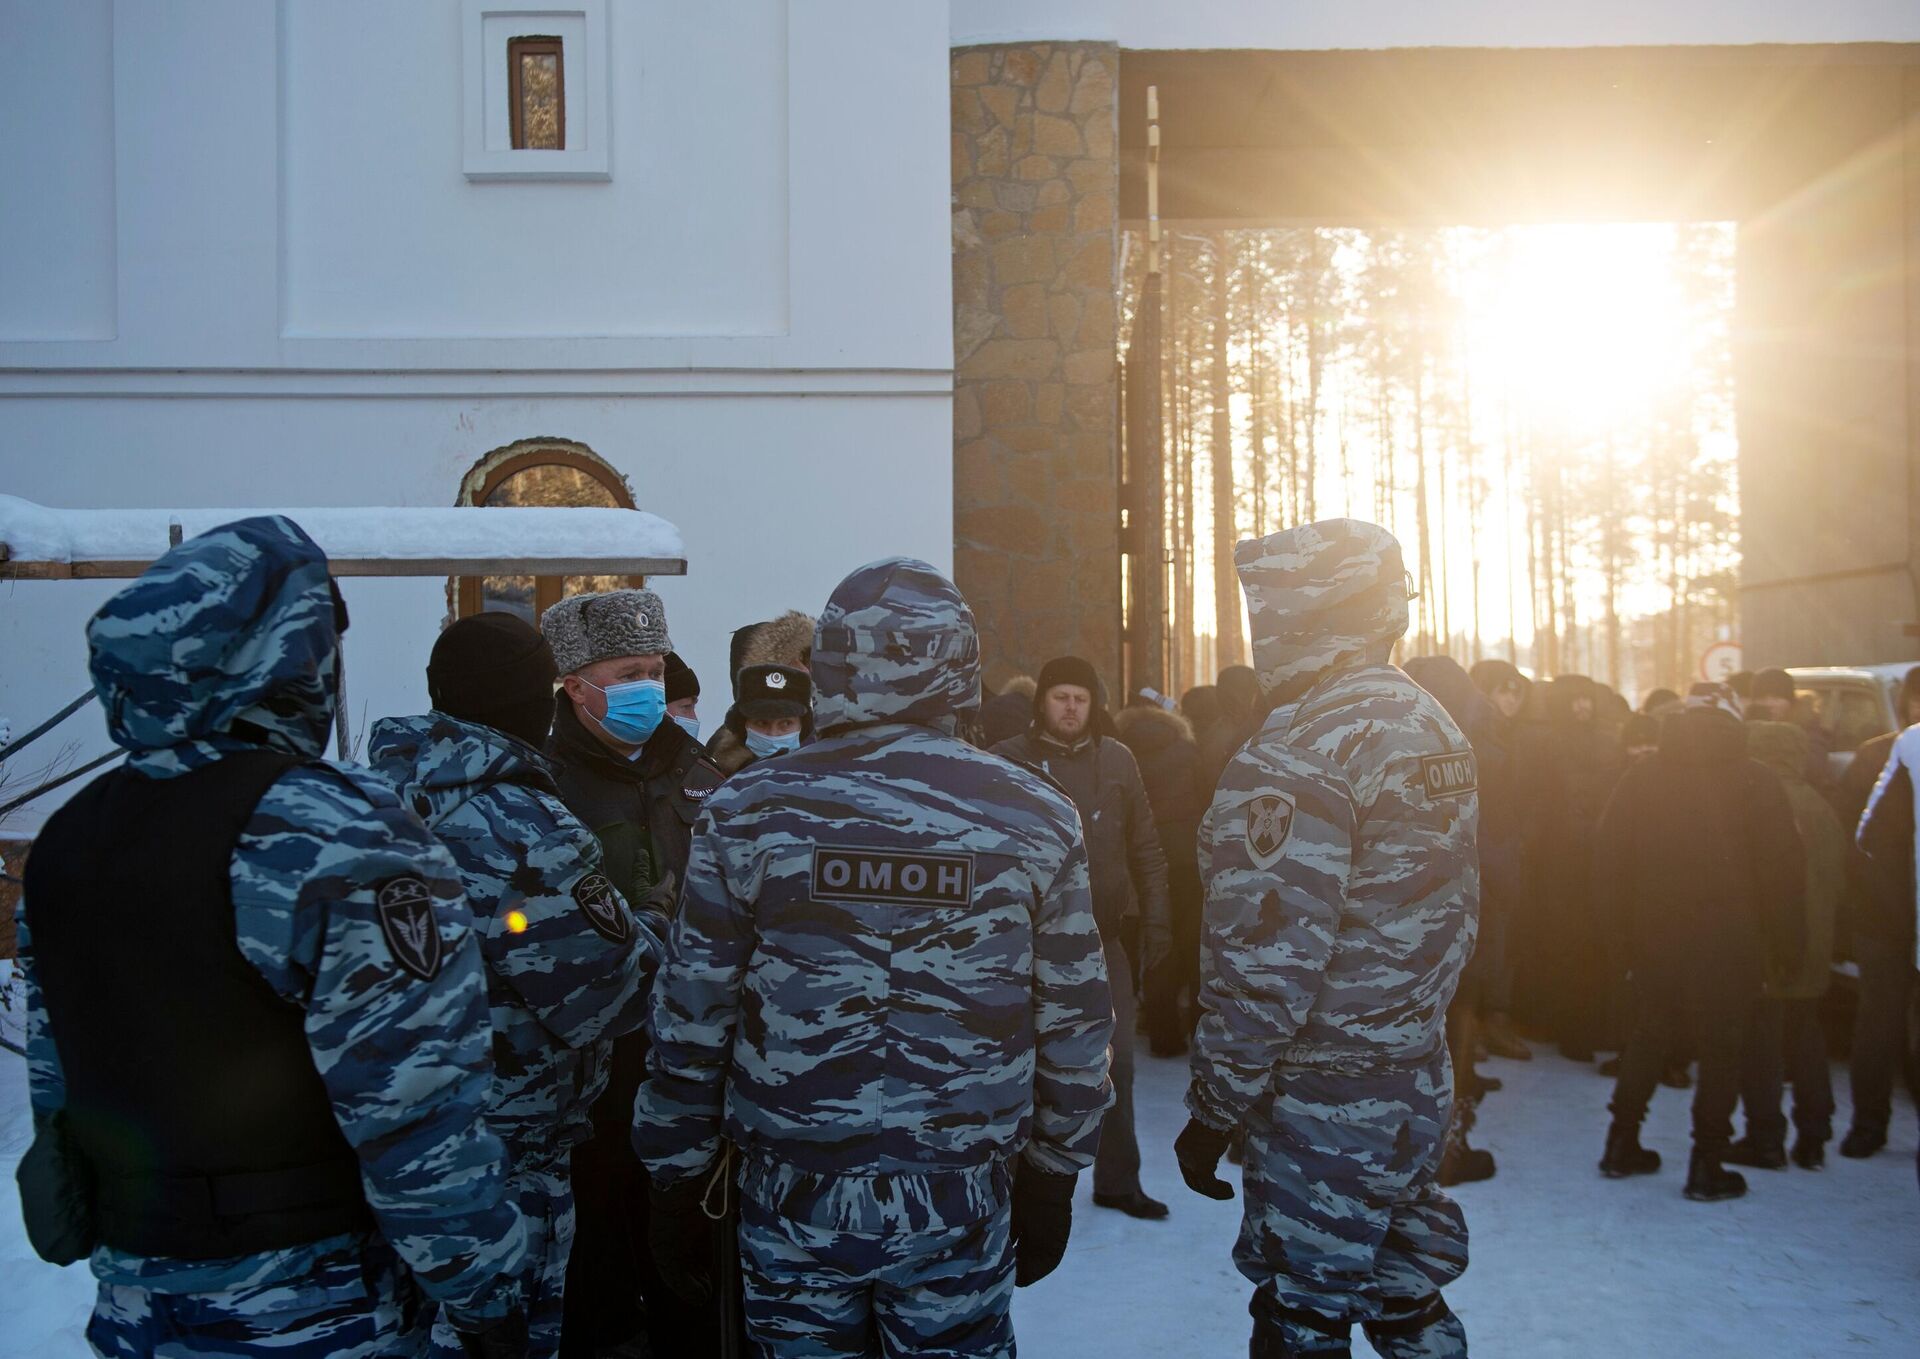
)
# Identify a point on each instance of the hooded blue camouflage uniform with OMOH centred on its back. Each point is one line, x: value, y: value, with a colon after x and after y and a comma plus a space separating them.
x: 884, y: 986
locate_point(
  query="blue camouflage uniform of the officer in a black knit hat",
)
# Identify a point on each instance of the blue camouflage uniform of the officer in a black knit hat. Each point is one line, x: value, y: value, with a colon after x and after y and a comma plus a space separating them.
x: 567, y: 965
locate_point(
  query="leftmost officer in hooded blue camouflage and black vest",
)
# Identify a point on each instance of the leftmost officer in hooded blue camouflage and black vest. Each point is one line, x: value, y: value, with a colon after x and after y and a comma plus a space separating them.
x: 256, y: 1014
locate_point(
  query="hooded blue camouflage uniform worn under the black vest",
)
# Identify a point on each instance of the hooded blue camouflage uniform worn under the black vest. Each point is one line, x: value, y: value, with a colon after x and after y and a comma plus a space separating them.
x: 229, y: 644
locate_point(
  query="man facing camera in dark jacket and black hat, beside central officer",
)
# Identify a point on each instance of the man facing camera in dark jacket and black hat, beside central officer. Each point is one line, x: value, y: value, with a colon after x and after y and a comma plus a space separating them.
x: 1070, y: 742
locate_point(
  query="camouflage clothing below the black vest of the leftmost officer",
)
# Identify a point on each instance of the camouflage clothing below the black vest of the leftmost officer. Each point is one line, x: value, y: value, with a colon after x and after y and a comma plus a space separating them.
x: 356, y: 1304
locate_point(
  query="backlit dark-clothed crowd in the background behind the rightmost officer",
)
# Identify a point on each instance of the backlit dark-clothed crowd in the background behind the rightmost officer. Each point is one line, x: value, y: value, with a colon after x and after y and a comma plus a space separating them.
x: 1673, y: 886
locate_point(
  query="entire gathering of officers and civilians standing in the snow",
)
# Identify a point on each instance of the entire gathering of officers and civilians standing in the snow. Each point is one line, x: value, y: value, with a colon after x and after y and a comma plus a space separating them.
x: 562, y: 1032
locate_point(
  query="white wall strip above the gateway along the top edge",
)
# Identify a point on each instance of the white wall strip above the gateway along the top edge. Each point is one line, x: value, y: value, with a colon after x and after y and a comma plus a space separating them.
x: 1308, y: 26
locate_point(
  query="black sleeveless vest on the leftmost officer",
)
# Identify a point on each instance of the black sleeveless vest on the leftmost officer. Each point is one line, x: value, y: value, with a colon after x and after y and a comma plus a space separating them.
x: 193, y: 1097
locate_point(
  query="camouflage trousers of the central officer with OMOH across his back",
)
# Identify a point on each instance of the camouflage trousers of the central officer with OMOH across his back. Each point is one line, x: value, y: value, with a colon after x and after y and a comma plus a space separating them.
x: 817, y: 1293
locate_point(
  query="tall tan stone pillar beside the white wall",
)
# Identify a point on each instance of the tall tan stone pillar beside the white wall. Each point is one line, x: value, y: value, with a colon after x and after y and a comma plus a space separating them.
x: 1036, y: 481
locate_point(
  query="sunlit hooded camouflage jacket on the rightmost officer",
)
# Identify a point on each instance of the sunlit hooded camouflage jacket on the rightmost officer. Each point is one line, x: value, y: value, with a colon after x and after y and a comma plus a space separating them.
x: 1339, y: 853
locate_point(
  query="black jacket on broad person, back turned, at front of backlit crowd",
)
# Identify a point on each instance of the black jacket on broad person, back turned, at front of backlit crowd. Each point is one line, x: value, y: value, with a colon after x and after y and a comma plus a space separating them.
x: 1700, y: 859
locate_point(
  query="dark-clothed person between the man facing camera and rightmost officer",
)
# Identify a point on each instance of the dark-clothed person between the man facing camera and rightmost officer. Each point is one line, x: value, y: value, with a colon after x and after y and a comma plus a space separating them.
x: 1170, y: 765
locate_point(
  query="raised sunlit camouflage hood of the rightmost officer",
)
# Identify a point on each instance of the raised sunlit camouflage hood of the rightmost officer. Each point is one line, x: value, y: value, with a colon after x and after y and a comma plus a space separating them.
x: 1322, y: 598
